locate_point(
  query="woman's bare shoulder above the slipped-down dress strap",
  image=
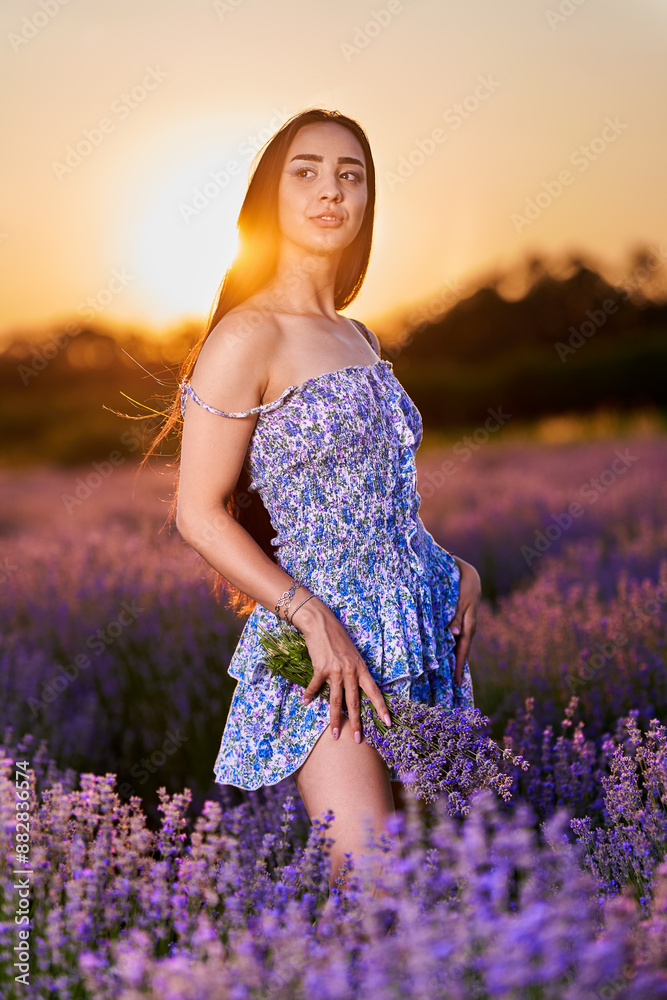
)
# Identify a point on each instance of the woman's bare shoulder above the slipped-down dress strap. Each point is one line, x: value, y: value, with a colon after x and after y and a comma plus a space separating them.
x: 232, y: 367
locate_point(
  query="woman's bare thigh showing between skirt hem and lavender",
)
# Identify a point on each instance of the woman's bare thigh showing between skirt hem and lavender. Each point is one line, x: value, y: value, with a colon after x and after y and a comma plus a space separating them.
x: 352, y: 780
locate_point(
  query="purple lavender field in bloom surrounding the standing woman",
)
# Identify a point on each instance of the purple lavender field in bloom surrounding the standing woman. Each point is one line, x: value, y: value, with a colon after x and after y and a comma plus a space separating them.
x: 150, y: 881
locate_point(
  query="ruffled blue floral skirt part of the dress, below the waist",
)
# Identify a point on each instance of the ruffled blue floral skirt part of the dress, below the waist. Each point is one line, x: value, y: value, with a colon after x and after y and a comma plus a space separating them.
x: 403, y: 637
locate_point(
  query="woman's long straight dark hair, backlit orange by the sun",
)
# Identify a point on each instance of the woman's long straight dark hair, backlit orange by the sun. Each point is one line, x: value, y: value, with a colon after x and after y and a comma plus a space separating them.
x: 252, y: 269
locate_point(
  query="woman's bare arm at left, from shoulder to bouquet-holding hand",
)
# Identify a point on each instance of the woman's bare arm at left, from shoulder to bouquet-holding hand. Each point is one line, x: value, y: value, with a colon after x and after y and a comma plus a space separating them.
x: 231, y: 374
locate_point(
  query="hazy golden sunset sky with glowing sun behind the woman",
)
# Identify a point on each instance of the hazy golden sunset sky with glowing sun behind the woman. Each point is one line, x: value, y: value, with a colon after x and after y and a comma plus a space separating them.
x: 498, y: 130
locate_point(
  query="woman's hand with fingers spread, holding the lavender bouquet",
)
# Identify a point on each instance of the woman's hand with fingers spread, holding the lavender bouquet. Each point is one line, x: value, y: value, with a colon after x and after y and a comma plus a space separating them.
x: 337, y: 662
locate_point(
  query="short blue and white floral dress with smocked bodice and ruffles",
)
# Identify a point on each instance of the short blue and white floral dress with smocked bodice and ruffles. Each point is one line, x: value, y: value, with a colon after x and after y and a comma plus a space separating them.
x: 333, y: 460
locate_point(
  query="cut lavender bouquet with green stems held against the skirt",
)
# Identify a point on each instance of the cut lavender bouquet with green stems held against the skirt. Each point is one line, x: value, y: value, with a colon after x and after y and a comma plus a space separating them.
x: 434, y: 752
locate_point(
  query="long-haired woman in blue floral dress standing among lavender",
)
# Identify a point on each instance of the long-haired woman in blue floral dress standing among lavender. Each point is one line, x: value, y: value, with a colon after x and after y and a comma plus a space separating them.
x: 298, y: 485
